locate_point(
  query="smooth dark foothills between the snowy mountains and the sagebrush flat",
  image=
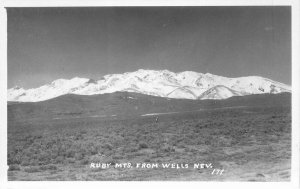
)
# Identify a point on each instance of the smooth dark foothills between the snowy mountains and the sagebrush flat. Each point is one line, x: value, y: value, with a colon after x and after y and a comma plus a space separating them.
x: 125, y: 103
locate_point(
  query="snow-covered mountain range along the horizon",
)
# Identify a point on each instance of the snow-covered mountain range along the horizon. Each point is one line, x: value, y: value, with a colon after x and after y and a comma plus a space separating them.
x: 160, y: 83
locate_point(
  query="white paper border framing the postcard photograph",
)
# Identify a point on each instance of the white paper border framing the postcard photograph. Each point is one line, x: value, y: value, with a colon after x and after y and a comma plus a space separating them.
x: 142, y: 184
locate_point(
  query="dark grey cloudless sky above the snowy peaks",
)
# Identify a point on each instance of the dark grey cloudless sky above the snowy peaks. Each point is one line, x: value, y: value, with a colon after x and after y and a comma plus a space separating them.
x: 45, y: 44
